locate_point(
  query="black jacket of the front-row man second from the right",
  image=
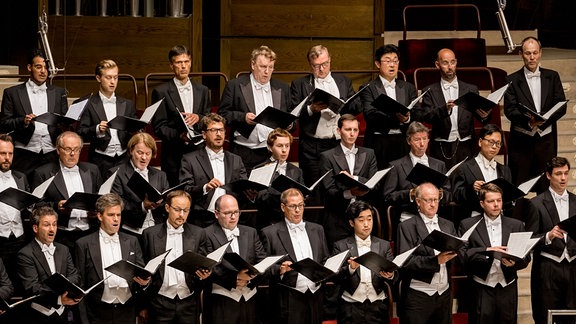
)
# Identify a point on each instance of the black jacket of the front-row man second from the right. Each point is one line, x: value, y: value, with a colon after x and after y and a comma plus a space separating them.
x: 479, y: 264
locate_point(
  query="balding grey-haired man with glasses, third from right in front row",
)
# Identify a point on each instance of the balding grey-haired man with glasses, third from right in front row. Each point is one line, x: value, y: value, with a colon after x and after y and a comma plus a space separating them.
x: 426, y: 294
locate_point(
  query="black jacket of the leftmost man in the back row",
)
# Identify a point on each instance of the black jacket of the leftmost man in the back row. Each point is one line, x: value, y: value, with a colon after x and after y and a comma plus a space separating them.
x: 16, y: 105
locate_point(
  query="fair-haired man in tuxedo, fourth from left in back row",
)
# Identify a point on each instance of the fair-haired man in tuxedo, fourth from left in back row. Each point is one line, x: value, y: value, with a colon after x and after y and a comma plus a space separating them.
x: 247, y: 96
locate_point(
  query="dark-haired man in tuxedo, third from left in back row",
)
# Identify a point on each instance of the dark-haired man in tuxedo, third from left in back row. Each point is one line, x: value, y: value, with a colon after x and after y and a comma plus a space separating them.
x: 181, y: 97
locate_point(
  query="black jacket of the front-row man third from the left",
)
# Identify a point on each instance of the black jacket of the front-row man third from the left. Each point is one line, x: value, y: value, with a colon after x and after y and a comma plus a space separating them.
x: 154, y: 244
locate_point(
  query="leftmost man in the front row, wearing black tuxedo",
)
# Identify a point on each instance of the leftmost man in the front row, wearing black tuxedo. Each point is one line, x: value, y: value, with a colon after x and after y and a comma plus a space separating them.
x: 40, y: 259
